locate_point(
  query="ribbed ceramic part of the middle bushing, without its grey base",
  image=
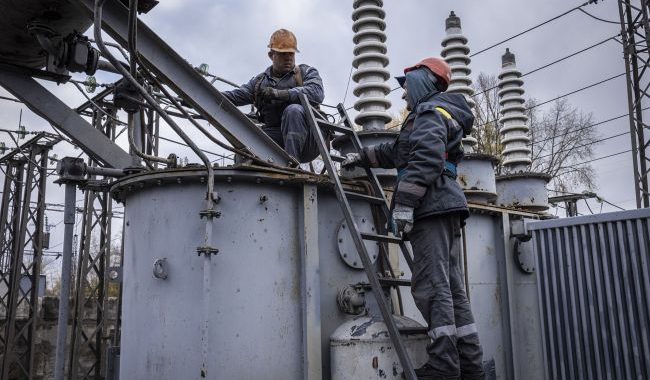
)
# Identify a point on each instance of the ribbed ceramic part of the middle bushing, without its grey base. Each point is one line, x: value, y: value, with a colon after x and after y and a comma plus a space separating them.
x: 455, y: 51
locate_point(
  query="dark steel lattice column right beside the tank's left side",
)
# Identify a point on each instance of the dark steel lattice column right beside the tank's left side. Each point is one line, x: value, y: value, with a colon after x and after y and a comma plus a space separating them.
x: 91, y: 339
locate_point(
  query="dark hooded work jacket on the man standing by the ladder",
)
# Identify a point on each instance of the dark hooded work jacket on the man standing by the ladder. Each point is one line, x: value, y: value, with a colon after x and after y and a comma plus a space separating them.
x: 418, y: 153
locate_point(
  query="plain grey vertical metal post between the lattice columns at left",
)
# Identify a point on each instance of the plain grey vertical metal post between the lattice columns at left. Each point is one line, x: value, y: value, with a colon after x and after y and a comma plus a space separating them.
x: 66, y: 268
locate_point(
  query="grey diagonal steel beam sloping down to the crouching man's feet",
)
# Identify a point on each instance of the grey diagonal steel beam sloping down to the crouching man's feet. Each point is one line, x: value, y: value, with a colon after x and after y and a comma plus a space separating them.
x: 175, y: 72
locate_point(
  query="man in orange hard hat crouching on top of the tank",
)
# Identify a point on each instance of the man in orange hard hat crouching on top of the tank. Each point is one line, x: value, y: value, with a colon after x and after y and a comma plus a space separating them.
x: 275, y: 93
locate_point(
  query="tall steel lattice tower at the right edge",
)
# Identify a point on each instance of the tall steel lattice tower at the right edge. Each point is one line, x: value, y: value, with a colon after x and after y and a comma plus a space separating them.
x: 636, y: 48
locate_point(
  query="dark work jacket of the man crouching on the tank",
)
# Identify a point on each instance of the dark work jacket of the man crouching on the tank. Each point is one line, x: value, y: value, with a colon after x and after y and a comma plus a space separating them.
x: 271, y: 112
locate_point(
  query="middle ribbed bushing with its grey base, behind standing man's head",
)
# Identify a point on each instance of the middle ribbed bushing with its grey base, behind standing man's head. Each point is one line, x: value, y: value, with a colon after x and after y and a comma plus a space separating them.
x: 476, y: 171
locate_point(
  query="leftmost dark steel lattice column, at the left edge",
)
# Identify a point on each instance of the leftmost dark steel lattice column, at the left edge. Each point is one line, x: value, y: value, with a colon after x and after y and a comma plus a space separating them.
x: 23, y: 219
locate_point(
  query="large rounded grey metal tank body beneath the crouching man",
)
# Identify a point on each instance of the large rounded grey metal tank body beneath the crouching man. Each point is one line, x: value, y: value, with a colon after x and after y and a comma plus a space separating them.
x: 272, y: 303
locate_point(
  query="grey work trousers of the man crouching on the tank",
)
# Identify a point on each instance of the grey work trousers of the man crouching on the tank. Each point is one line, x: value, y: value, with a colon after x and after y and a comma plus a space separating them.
x: 294, y: 134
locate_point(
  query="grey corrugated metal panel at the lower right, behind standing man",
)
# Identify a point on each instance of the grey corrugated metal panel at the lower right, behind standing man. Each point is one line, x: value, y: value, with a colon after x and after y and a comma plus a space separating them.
x: 594, y: 290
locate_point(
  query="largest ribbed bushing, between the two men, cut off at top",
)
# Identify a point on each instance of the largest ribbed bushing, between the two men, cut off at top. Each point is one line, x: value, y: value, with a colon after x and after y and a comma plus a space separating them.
x: 370, y: 61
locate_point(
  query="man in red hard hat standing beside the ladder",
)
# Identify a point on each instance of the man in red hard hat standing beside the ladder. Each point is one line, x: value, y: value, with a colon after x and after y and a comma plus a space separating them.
x: 429, y: 206
